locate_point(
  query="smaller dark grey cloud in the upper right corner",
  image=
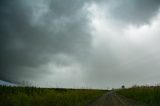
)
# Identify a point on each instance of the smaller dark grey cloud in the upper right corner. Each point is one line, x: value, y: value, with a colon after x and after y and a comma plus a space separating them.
x: 132, y: 11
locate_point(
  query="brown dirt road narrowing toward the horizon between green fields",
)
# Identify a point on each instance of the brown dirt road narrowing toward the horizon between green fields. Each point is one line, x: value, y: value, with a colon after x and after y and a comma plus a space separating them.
x: 112, y: 99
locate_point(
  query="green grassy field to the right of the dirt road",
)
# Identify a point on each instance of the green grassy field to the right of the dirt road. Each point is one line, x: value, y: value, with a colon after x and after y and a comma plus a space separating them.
x: 145, y: 94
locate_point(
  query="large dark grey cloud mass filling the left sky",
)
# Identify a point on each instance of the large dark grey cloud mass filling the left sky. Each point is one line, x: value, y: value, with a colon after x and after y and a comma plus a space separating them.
x: 32, y: 32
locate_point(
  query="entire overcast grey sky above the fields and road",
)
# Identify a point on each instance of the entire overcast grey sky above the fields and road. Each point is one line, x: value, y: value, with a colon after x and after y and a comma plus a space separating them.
x: 80, y: 43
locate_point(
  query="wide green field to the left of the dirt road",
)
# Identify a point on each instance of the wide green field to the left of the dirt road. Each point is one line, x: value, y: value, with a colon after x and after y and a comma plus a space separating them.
x: 31, y: 96
